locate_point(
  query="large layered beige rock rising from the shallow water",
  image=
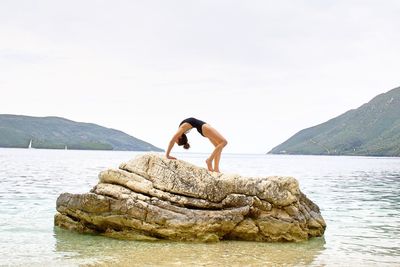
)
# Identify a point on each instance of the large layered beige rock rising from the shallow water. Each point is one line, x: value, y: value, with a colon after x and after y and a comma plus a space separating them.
x: 152, y: 198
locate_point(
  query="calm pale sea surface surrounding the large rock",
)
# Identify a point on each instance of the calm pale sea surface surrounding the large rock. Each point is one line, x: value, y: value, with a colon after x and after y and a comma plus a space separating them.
x: 359, y: 198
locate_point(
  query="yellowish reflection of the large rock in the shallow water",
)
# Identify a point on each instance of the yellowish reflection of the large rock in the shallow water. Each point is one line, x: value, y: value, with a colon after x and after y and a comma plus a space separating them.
x: 98, y: 250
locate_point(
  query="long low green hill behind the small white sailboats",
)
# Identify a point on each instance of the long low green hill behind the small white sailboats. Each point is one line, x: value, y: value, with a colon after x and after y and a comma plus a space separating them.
x: 55, y: 132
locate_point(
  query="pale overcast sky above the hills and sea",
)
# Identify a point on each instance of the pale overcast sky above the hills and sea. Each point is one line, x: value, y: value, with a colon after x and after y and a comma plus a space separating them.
x: 257, y: 71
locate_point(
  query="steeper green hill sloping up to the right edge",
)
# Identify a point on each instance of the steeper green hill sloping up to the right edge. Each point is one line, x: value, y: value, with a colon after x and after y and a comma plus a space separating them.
x: 370, y: 130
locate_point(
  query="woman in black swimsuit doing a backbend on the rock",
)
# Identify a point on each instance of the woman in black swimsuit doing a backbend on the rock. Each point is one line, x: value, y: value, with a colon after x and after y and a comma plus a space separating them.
x: 205, y: 130
